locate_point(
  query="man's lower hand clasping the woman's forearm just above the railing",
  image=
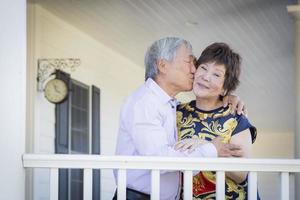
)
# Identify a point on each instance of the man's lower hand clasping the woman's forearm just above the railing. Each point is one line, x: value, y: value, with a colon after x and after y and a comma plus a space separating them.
x: 226, y: 150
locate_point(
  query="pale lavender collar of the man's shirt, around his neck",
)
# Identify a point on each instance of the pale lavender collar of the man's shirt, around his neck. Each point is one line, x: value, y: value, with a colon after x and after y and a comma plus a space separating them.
x: 159, y: 92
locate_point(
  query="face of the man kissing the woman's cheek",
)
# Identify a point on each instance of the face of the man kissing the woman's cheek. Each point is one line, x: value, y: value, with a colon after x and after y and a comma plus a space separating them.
x: 181, y: 70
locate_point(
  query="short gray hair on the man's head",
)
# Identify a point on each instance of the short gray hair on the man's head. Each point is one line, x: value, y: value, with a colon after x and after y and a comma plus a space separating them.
x: 164, y: 48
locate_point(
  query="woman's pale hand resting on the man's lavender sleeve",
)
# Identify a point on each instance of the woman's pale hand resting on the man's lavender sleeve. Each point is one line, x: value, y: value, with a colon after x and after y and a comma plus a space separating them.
x: 189, y: 144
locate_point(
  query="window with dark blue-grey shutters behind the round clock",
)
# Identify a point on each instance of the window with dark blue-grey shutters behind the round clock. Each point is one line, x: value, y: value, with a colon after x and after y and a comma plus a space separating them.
x: 78, y: 132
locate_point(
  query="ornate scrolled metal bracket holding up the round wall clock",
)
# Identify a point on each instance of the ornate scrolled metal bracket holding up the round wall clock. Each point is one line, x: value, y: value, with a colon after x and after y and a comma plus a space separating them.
x: 46, y: 67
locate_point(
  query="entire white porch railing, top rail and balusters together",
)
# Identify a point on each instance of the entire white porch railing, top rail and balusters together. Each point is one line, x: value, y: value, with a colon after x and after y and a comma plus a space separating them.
x: 187, y: 165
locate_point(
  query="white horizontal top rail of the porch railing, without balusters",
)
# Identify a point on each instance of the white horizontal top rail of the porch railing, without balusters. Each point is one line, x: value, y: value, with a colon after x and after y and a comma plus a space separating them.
x: 162, y: 163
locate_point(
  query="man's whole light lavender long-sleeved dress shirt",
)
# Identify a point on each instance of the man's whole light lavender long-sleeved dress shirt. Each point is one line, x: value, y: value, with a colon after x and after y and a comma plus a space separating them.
x: 148, y: 128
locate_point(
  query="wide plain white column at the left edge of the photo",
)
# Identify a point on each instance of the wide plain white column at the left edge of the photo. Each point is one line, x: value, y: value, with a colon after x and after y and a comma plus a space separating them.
x: 13, y: 97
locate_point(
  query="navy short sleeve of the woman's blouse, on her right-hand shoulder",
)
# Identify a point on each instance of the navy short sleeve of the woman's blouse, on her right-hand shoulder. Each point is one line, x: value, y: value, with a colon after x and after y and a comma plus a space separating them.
x: 243, y: 124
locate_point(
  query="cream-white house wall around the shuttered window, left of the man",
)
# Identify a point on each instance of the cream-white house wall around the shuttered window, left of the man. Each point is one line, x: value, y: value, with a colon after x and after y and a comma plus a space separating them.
x: 114, y: 74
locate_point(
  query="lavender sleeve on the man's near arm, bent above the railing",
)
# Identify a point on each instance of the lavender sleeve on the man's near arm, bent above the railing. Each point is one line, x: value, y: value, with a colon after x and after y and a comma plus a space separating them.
x: 151, y: 139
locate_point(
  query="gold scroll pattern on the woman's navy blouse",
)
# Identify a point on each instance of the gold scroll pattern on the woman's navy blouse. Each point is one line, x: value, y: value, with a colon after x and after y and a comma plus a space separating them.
x: 210, y: 129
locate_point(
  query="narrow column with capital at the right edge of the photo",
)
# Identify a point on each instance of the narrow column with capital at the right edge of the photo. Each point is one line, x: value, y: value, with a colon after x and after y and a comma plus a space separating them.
x: 295, y: 11
